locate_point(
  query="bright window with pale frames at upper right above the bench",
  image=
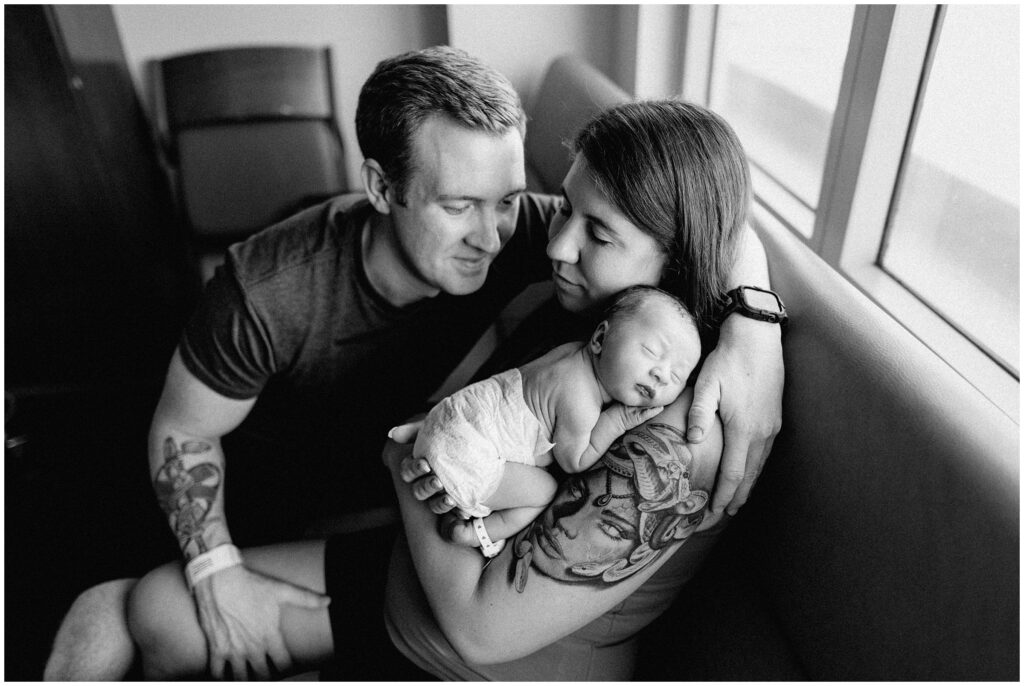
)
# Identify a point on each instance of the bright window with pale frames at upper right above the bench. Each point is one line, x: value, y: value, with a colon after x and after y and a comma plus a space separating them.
x: 887, y: 139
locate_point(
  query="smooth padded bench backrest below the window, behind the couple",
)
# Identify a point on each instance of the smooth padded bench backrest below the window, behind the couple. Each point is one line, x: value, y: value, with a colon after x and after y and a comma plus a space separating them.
x: 884, y: 534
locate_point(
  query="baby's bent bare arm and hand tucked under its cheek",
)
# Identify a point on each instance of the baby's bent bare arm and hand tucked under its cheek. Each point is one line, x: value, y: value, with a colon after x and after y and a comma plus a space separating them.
x: 578, y: 446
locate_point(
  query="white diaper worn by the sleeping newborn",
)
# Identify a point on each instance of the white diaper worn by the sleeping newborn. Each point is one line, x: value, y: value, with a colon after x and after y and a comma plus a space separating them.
x: 470, y: 436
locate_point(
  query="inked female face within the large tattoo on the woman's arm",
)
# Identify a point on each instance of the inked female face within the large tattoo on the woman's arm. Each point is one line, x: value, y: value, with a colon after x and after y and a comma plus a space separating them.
x: 576, y: 530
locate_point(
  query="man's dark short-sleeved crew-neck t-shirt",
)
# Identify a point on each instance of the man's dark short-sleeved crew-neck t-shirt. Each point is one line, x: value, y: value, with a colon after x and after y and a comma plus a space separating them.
x: 292, y: 318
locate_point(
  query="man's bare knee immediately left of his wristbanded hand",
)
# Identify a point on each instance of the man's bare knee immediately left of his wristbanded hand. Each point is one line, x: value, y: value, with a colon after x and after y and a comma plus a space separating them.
x: 163, y: 624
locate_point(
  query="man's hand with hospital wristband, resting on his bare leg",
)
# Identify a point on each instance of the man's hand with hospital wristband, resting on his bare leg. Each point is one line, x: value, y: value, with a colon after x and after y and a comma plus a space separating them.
x: 240, y: 613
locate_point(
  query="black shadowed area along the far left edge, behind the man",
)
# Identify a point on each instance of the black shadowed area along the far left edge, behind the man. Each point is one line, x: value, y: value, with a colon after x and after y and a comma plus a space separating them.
x: 98, y: 284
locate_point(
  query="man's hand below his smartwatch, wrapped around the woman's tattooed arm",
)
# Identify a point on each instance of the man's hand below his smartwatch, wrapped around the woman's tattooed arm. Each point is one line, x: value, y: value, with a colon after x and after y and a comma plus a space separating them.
x: 743, y: 380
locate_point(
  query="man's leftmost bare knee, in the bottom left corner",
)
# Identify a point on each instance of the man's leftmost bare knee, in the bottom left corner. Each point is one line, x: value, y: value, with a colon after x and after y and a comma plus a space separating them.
x: 94, y: 644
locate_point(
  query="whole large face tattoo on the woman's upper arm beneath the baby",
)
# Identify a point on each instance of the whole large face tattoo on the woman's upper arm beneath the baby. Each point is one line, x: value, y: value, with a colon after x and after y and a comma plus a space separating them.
x: 617, y: 519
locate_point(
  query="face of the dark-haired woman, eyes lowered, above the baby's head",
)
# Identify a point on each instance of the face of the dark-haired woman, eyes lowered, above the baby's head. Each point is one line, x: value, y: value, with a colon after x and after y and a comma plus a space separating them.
x: 595, y: 251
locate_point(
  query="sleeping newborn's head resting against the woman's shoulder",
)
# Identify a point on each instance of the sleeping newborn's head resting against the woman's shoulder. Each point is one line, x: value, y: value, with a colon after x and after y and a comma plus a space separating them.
x: 646, y: 349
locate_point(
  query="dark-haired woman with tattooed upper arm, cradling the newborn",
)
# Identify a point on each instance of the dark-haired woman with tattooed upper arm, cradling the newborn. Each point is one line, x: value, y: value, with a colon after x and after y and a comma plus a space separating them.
x: 658, y: 195
